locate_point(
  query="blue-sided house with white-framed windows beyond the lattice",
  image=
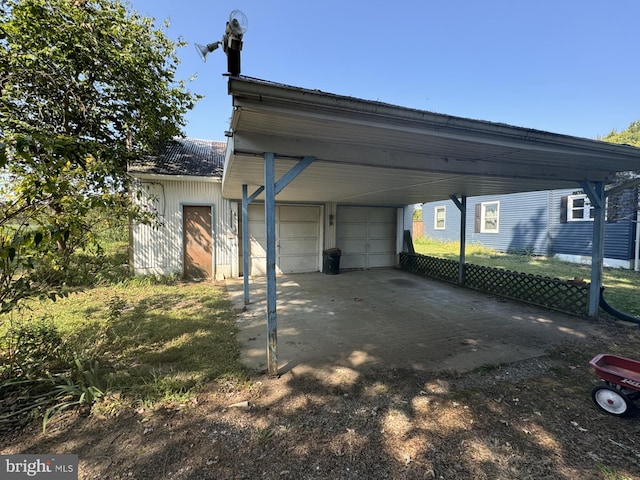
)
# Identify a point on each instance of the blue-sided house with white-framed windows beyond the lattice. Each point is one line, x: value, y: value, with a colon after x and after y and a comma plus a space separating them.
x: 551, y: 223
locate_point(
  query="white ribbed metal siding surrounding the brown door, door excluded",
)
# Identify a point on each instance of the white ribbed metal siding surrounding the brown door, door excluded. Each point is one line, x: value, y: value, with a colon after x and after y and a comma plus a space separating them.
x: 158, y: 249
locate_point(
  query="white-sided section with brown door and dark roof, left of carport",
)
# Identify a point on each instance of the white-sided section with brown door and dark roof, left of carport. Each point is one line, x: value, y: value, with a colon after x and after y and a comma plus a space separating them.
x: 196, y: 232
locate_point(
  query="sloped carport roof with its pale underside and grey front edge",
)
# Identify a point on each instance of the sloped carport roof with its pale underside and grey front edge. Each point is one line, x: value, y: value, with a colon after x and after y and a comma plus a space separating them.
x: 375, y: 153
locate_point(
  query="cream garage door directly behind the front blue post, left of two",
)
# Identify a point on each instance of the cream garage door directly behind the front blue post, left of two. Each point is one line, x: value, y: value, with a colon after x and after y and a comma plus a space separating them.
x: 297, y: 239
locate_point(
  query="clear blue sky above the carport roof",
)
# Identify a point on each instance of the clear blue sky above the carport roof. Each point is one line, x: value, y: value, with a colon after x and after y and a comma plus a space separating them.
x: 564, y: 66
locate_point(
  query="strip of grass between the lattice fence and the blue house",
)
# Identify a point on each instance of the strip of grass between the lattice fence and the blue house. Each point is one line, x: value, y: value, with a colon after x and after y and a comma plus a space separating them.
x: 622, y: 287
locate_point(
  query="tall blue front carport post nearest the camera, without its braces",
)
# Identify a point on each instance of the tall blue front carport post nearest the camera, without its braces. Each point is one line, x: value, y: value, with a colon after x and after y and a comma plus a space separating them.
x: 270, y: 224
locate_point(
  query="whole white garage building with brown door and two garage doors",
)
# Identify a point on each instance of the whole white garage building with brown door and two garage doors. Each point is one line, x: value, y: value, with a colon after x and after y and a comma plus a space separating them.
x: 199, y: 232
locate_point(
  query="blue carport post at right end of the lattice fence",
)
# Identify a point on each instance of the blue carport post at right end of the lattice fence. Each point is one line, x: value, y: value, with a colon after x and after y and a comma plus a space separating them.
x: 595, y: 192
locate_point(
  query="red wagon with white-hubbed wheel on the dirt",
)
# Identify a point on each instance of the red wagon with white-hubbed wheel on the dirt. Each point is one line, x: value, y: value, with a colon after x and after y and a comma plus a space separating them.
x: 621, y: 383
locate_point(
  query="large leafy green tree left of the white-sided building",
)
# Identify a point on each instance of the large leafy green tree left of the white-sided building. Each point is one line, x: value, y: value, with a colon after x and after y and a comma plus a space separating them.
x: 86, y: 86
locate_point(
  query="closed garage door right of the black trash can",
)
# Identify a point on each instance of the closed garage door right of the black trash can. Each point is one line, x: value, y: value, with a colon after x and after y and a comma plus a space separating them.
x: 367, y: 236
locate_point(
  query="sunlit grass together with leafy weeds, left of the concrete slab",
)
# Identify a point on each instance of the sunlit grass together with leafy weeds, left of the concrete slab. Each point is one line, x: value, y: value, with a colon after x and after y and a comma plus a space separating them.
x: 141, y: 339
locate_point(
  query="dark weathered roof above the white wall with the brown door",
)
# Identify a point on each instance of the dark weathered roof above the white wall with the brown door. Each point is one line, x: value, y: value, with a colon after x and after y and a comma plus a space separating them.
x: 186, y: 157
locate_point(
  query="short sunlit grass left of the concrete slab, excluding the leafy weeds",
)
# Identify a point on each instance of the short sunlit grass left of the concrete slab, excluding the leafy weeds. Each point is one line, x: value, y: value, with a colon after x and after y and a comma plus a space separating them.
x: 152, y: 342
